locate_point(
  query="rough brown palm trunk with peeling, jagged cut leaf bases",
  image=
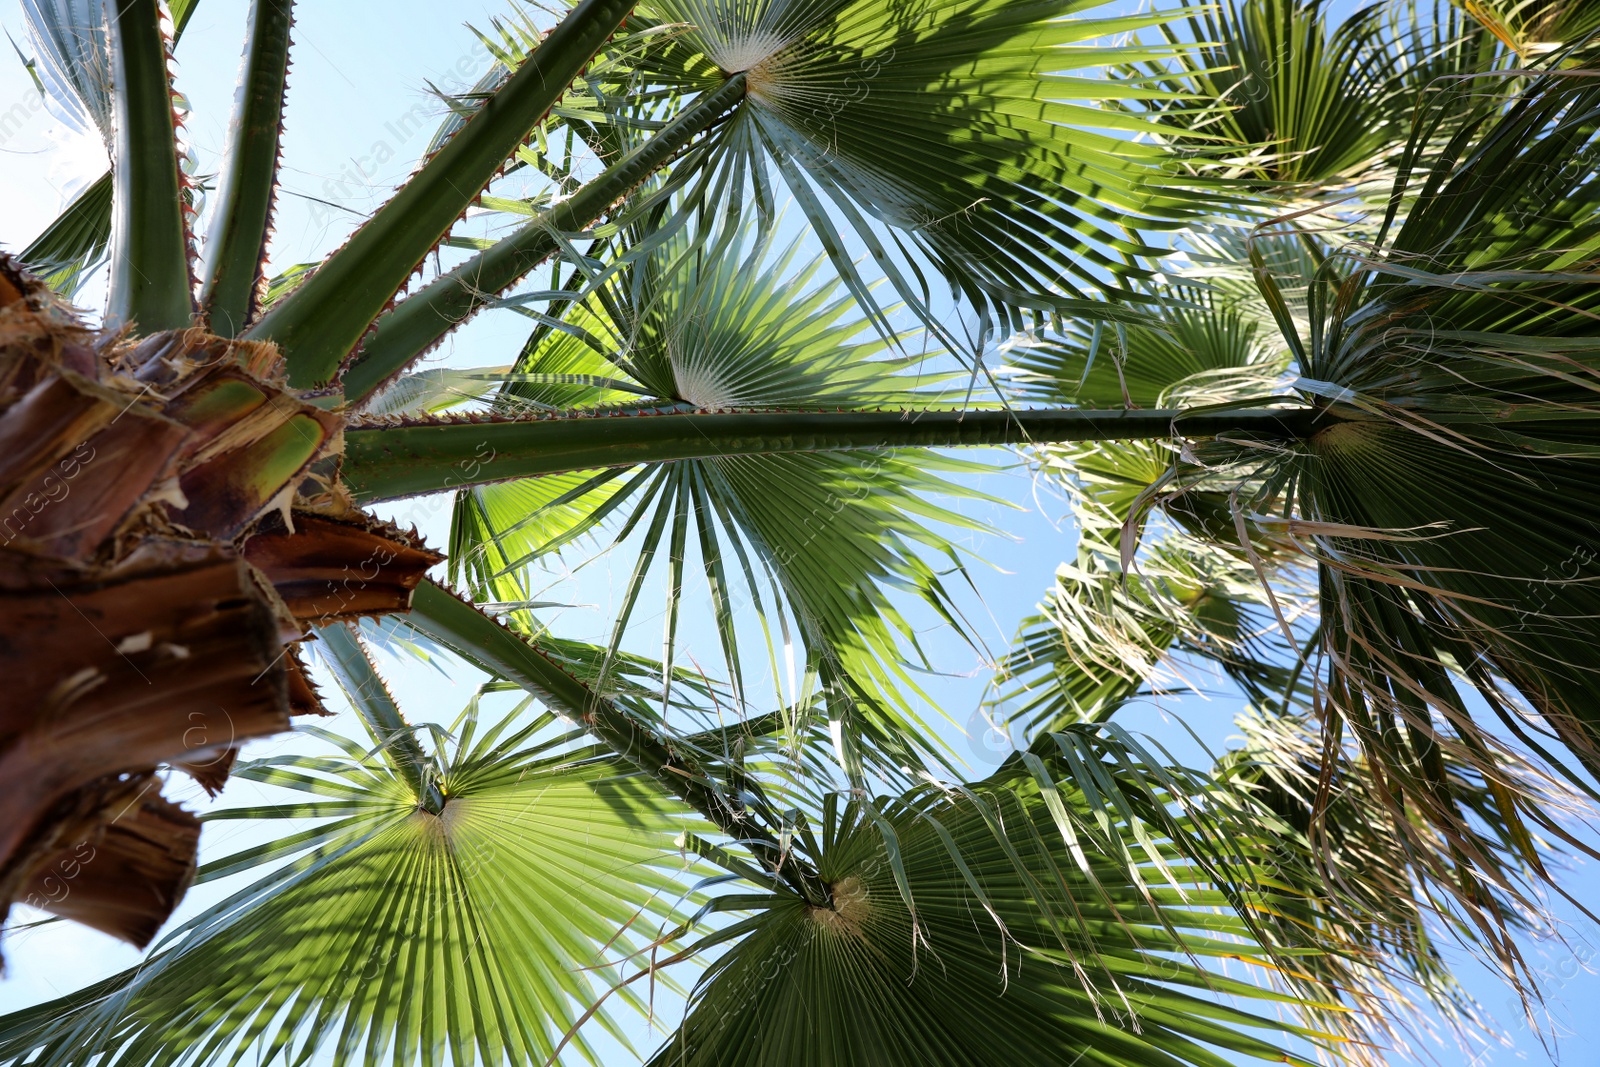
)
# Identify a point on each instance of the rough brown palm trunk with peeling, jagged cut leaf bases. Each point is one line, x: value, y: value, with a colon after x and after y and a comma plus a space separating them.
x: 151, y: 594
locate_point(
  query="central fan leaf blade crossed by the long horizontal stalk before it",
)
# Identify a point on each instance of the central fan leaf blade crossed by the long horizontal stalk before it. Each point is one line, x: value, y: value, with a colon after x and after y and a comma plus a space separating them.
x: 815, y: 543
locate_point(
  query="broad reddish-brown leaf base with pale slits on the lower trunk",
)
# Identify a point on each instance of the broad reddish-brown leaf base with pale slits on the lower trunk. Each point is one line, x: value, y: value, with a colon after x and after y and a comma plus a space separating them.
x: 177, y: 655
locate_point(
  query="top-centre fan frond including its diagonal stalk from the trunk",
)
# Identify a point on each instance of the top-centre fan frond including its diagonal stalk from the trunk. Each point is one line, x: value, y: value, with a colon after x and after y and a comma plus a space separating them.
x: 1010, y: 177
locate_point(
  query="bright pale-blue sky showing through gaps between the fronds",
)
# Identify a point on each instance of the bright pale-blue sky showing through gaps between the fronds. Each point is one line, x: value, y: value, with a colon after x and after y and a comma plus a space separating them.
x: 359, y: 118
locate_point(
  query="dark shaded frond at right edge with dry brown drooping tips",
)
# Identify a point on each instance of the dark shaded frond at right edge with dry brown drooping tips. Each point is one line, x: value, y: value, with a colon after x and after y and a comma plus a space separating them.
x: 1454, y: 364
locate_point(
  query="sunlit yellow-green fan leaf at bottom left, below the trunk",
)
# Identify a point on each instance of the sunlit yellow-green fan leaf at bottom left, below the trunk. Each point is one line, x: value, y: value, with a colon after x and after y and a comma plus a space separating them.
x: 391, y: 933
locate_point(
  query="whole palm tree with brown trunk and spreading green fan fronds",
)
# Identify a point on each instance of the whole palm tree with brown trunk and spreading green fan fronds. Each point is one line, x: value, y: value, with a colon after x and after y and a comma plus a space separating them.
x: 191, y: 482
